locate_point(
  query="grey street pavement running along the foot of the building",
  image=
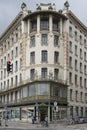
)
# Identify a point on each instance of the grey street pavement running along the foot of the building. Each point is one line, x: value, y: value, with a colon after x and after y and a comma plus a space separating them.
x: 29, y: 126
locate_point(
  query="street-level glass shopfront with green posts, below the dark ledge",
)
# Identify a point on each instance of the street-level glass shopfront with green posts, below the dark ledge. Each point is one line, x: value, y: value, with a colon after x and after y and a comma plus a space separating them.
x: 38, y: 112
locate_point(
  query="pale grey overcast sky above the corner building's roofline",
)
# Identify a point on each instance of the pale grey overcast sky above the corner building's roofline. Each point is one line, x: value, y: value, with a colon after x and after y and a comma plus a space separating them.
x: 10, y: 8
